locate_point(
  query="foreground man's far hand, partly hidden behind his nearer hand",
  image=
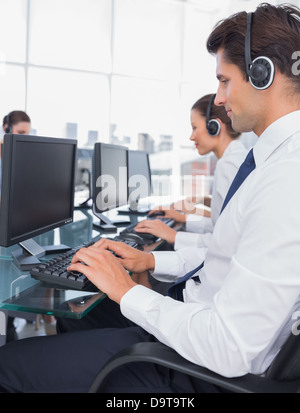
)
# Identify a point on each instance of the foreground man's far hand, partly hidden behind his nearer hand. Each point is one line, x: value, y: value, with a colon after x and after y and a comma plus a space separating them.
x: 132, y: 259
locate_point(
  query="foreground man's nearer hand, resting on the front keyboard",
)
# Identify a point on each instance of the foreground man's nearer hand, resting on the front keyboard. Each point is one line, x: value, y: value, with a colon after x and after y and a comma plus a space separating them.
x: 103, y: 270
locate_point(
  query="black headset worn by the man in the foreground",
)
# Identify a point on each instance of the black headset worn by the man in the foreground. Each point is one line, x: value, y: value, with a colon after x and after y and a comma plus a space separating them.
x: 261, y: 70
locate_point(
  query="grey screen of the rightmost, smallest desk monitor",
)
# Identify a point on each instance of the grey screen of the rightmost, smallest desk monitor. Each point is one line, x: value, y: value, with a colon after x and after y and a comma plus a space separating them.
x: 139, y: 176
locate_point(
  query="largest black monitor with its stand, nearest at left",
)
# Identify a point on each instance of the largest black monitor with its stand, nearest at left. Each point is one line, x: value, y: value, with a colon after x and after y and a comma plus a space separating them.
x: 37, y: 192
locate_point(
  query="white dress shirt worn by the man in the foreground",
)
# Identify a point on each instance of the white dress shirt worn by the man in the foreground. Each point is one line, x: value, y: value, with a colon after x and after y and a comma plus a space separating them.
x: 236, y: 320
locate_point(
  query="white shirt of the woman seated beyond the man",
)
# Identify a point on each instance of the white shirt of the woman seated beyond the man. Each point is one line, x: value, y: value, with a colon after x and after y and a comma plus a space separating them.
x: 198, y: 228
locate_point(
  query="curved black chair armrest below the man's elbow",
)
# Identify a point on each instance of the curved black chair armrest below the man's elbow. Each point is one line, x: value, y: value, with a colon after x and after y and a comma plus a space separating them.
x: 165, y: 356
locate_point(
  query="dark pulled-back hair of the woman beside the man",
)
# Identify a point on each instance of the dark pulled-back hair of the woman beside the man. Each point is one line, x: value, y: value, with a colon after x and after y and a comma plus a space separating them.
x: 216, y: 112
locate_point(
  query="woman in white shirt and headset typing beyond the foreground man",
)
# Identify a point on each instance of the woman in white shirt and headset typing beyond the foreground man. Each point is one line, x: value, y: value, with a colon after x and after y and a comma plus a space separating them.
x: 230, y: 152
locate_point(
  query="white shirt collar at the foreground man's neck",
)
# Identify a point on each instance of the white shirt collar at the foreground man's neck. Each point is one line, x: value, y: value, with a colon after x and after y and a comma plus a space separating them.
x: 275, y: 135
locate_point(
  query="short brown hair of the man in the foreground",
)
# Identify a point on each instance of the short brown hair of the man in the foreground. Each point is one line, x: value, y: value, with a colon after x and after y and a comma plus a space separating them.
x: 275, y: 33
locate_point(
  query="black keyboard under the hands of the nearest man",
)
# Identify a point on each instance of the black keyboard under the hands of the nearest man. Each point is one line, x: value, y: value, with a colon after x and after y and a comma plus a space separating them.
x: 54, y: 272
